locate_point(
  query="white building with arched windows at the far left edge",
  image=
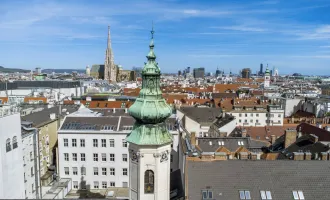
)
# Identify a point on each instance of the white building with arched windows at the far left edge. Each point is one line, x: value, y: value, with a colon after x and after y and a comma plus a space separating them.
x: 11, y: 156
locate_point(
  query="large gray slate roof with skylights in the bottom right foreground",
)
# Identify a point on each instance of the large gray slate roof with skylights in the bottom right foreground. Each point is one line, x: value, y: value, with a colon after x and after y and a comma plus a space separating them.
x: 280, y: 177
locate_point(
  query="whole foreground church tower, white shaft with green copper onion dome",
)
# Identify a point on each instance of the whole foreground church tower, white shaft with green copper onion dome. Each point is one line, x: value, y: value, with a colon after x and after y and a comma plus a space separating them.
x: 150, y: 141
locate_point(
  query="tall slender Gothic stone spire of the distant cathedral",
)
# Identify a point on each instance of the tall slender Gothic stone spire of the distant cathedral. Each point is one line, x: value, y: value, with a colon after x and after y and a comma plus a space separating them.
x: 110, y: 69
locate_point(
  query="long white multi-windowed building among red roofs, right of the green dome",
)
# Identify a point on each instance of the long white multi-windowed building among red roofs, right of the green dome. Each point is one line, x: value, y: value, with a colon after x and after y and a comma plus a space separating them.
x: 258, y: 115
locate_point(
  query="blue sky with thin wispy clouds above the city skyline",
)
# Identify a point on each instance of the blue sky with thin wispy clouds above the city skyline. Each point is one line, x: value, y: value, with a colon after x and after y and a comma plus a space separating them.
x: 293, y: 36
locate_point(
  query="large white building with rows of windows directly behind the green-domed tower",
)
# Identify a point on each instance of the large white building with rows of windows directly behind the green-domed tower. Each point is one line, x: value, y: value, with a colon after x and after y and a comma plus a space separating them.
x: 92, y: 150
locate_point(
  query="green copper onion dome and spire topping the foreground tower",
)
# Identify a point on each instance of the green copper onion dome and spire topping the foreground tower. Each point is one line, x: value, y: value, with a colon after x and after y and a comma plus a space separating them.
x: 150, y: 109
